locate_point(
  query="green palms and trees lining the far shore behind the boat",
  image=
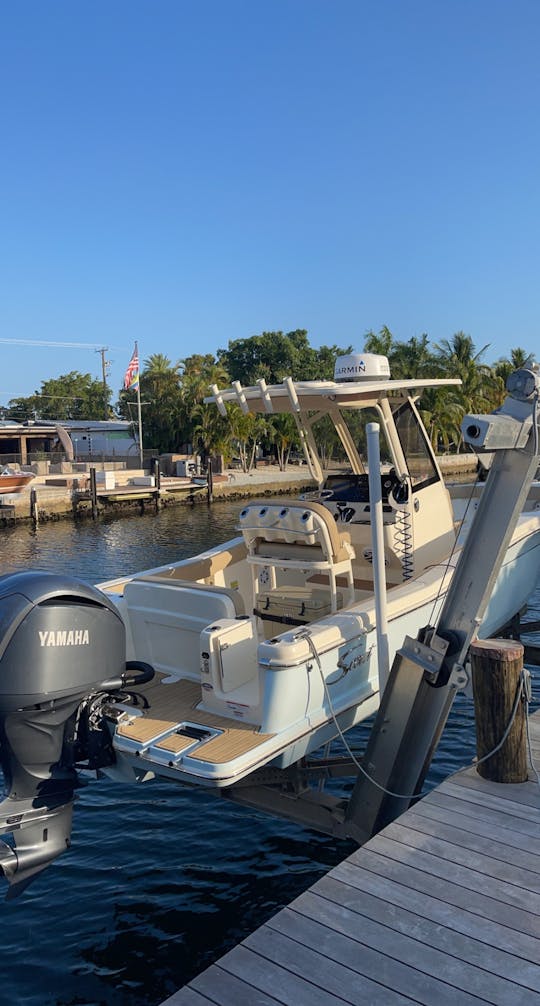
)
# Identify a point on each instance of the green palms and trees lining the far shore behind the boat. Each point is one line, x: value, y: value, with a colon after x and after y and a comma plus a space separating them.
x: 176, y: 418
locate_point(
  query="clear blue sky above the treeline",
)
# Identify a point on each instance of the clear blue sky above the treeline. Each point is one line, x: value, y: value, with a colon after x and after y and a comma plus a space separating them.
x: 188, y: 173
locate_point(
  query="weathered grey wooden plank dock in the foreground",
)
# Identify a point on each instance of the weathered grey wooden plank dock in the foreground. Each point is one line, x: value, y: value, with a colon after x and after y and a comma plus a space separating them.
x: 442, y: 908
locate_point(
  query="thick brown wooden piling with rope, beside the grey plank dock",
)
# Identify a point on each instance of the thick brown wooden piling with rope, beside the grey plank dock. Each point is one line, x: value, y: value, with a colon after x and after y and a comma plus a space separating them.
x: 497, y: 666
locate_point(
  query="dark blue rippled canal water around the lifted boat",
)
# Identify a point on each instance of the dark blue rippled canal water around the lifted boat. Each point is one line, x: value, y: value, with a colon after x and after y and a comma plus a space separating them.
x: 159, y: 883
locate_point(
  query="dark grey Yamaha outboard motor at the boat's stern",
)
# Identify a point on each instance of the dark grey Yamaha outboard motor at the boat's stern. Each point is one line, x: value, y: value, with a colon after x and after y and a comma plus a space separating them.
x: 63, y: 659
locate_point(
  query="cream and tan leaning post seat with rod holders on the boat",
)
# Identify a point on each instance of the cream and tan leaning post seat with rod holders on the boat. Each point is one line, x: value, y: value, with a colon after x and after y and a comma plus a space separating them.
x: 297, y: 536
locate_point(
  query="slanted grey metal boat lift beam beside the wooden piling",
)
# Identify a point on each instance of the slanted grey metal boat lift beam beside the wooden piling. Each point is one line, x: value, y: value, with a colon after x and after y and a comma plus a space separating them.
x: 428, y: 672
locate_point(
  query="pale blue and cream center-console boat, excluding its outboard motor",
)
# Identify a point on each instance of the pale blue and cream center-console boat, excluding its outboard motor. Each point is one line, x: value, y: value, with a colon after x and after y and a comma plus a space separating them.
x: 267, y: 647
